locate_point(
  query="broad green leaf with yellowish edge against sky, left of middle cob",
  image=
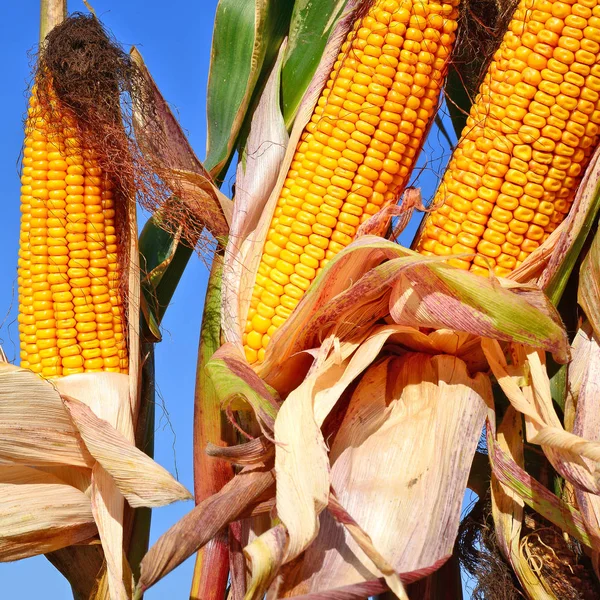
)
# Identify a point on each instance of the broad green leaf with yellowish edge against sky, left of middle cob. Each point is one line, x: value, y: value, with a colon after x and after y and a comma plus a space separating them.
x: 245, y: 34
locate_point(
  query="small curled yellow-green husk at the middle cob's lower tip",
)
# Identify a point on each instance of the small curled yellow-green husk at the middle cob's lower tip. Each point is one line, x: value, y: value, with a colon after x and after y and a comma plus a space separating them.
x: 238, y: 387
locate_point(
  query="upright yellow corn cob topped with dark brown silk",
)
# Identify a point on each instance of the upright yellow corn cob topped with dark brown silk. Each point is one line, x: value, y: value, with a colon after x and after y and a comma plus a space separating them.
x: 70, y: 308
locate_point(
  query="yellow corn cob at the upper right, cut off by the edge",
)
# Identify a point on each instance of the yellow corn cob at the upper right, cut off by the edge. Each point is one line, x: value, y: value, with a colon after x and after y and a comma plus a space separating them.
x: 529, y: 136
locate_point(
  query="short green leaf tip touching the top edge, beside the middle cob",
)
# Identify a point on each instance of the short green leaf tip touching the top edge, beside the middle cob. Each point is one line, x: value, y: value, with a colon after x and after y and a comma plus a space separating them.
x: 312, y: 22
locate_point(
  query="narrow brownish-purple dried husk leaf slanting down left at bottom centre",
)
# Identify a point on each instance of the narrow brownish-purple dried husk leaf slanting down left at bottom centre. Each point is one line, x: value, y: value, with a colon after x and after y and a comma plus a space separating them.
x: 202, y: 523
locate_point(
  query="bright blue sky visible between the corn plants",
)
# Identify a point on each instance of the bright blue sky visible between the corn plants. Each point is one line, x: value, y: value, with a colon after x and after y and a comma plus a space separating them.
x: 174, y: 37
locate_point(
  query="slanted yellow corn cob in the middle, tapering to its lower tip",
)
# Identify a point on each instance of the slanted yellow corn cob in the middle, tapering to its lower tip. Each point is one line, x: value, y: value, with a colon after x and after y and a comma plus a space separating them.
x: 356, y: 153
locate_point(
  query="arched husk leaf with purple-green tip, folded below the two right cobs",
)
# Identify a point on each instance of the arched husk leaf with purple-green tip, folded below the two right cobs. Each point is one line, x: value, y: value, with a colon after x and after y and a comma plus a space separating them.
x: 357, y: 287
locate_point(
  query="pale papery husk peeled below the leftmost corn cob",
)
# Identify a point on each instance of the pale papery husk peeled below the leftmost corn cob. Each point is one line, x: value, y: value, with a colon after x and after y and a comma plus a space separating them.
x: 87, y: 457
